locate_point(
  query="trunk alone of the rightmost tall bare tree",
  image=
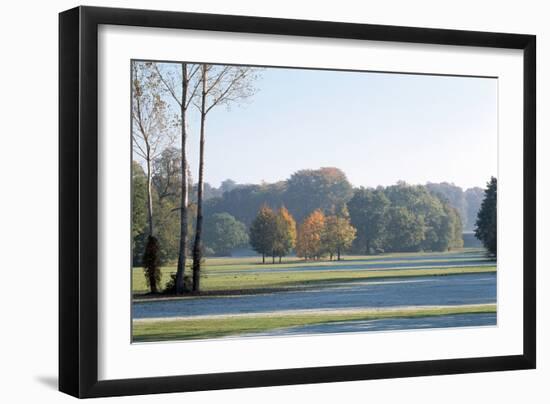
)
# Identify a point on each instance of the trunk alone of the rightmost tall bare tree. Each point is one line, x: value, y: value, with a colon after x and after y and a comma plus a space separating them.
x: 197, y: 247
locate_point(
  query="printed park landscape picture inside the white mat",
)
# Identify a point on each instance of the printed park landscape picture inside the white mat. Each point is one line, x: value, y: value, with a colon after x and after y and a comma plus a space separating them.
x: 281, y: 234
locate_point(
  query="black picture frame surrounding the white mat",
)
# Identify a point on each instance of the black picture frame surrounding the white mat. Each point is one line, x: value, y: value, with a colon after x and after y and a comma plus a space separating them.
x: 78, y: 201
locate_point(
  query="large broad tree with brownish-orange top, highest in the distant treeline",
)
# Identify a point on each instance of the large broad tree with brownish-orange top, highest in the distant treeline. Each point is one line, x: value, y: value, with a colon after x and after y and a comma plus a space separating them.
x: 323, y: 189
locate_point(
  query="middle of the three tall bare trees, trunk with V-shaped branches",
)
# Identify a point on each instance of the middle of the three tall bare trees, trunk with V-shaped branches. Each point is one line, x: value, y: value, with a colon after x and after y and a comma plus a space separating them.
x: 182, y: 88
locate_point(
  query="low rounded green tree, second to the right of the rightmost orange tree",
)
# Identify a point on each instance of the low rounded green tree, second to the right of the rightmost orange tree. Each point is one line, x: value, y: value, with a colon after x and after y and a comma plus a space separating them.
x: 405, y: 230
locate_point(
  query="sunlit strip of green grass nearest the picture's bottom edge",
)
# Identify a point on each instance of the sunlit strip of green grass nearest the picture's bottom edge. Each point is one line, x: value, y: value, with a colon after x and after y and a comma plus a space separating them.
x: 220, y: 326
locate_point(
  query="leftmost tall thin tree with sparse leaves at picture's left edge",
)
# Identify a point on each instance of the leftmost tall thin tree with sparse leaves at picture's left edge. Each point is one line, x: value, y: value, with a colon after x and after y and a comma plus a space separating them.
x: 150, y: 134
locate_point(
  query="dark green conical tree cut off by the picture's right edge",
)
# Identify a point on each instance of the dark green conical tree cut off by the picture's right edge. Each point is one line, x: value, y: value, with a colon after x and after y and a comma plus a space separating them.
x: 486, y: 224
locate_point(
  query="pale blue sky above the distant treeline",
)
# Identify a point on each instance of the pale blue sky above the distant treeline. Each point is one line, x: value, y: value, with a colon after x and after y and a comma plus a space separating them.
x: 378, y: 128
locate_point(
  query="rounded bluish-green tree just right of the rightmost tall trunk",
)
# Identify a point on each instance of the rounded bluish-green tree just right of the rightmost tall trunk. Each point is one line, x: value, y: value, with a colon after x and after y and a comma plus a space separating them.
x: 222, y: 233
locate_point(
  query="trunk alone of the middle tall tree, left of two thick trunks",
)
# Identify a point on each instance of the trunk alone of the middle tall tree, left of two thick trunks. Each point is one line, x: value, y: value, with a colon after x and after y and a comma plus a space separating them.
x: 180, y: 274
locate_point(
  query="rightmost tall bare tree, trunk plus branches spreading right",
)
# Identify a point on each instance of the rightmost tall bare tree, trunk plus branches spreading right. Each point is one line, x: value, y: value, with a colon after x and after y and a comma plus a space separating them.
x: 220, y: 85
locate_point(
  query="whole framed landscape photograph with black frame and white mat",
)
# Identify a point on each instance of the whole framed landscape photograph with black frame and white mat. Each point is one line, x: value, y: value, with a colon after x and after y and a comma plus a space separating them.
x: 251, y: 201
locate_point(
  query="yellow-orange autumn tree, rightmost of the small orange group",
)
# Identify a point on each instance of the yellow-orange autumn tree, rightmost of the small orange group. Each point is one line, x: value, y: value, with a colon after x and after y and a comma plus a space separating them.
x: 338, y: 234
